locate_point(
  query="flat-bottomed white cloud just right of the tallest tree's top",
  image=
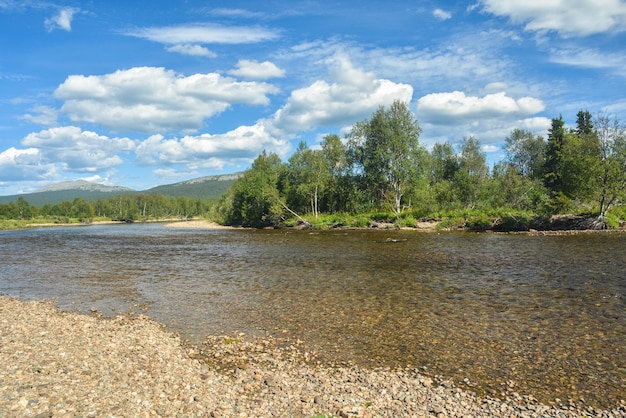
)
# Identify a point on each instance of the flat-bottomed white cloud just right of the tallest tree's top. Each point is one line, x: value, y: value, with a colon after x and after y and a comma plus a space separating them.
x: 457, y: 108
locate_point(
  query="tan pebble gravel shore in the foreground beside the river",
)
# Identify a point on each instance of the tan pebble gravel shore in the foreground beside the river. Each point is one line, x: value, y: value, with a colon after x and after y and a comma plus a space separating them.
x: 60, y: 364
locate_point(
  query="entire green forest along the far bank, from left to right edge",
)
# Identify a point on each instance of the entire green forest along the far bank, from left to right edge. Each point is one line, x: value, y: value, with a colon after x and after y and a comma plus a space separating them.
x: 381, y: 173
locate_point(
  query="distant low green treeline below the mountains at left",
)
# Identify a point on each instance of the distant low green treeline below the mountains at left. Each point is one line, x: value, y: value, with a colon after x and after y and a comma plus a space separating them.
x: 124, y: 207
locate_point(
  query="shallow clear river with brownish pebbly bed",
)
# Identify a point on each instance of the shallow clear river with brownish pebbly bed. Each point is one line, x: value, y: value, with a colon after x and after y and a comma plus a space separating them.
x: 538, y: 315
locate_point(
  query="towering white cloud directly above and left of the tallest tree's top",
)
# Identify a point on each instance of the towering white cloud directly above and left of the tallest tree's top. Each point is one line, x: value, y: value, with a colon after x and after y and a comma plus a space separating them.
x: 352, y: 95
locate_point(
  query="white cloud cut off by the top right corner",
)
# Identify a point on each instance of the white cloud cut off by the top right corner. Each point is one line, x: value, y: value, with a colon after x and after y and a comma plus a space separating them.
x: 577, y: 18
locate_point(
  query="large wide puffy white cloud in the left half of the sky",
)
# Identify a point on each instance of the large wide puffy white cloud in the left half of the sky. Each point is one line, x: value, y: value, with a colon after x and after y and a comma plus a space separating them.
x: 149, y: 99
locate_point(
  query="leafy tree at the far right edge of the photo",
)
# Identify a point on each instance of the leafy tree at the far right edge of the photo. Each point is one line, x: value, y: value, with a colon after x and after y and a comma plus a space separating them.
x: 612, y: 181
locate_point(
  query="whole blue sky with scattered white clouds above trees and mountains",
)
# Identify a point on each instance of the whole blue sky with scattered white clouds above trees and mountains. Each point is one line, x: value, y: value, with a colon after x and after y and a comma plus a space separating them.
x: 142, y: 93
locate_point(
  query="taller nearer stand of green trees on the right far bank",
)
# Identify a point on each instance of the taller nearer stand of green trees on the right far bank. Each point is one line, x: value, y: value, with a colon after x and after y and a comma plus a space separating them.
x: 382, y: 167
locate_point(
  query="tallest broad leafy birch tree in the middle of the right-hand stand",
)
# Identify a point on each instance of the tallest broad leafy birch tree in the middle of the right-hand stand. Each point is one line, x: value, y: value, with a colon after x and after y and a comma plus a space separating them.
x: 387, y: 148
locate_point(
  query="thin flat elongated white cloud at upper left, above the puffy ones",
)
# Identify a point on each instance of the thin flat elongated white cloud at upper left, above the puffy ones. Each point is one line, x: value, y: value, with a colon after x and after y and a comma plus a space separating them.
x: 204, y: 34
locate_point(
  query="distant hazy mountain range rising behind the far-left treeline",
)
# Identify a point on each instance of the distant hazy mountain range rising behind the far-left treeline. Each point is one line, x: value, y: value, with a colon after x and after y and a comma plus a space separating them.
x: 209, y: 187
